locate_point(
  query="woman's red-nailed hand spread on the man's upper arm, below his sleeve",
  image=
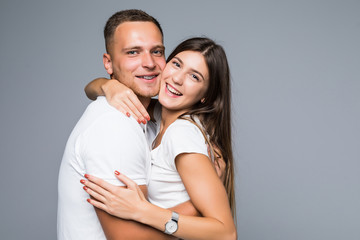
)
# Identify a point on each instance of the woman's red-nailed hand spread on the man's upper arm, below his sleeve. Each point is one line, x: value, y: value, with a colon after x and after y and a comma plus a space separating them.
x: 122, y: 202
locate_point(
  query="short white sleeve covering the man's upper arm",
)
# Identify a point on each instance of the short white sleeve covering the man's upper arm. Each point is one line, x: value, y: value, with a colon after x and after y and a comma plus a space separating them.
x: 114, y: 142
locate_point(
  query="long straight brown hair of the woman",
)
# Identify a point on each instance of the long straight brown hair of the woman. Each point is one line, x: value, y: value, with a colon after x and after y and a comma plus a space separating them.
x: 214, y: 112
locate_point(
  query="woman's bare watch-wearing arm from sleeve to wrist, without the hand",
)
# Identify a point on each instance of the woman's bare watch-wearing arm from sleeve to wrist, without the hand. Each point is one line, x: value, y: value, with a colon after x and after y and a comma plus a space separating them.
x: 208, y: 195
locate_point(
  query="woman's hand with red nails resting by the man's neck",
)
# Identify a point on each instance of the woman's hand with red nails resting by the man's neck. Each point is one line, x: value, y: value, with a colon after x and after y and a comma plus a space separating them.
x: 124, y: 99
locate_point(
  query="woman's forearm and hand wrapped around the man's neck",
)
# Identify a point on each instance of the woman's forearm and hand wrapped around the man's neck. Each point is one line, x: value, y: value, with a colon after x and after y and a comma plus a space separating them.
x: 119, y: 96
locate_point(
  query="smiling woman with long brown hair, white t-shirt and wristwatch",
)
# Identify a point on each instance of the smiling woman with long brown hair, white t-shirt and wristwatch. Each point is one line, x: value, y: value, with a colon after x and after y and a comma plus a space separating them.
x: 195, y: 113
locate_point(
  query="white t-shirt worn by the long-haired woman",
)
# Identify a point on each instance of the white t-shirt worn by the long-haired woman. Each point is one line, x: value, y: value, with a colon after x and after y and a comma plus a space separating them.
x: 165, y: 187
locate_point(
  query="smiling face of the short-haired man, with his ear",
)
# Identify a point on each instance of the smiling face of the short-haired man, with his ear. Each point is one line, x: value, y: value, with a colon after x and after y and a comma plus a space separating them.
x: 136, y: 57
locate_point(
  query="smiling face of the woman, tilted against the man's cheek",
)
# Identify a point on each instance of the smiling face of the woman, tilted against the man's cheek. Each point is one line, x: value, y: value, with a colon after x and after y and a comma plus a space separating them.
x: 184, y: 82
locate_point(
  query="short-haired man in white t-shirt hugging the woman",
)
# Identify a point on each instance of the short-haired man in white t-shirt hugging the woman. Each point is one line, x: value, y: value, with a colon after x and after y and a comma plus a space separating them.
x: 105, y: 140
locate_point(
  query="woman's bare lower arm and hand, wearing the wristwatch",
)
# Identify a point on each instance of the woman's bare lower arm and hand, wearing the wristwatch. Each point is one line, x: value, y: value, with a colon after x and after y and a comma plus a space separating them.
x: 205, y: 189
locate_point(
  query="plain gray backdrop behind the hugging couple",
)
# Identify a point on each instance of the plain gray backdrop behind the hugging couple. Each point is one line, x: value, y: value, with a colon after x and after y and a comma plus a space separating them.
x: 296, y: 106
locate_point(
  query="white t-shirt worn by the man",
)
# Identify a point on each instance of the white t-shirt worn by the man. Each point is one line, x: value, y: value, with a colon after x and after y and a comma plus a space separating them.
x: 104, y: 140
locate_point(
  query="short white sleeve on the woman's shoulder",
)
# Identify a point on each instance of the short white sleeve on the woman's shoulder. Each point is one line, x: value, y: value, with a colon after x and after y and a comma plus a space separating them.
x: 183, y: 137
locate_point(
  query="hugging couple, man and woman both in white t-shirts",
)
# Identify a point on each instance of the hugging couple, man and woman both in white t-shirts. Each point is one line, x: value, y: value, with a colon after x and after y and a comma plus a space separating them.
x: 151, y: 169
